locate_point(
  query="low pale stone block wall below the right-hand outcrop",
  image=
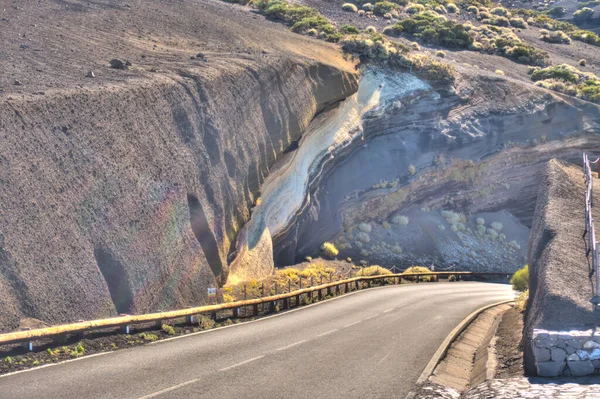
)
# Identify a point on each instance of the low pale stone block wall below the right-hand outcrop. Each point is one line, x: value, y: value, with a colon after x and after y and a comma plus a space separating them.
x: 567, y: 353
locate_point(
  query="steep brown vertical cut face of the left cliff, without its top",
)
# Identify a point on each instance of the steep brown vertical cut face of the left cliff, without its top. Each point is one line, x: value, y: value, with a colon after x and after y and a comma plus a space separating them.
x: 128, y: 199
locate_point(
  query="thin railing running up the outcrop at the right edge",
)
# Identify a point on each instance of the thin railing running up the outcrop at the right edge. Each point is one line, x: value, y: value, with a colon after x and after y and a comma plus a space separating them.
x: 591, y: 243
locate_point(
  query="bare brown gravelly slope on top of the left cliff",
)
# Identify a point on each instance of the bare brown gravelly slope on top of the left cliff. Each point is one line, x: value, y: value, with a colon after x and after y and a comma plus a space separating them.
x: 52, y: 44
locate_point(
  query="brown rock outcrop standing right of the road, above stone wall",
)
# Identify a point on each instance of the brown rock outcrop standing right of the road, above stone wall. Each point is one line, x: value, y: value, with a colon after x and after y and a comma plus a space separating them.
x: 559, y: 285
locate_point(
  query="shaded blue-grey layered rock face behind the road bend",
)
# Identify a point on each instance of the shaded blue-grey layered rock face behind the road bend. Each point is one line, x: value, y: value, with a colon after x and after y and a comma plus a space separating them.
x: 444, y: 178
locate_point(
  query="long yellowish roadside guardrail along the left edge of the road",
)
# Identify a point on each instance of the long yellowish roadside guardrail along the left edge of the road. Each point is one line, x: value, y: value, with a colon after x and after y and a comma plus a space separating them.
x: 125, y: 321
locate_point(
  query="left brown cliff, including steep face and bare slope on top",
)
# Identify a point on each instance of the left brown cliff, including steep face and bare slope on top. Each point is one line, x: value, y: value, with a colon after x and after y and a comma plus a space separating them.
x: 124, y: 193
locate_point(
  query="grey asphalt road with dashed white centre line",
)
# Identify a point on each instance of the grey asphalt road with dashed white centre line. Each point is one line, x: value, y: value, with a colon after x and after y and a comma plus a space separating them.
x: 370, y: 344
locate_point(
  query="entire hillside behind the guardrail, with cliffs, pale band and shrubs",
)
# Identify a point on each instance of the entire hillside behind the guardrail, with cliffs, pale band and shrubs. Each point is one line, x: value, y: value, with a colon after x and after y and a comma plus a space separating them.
x: 152, y: 149
